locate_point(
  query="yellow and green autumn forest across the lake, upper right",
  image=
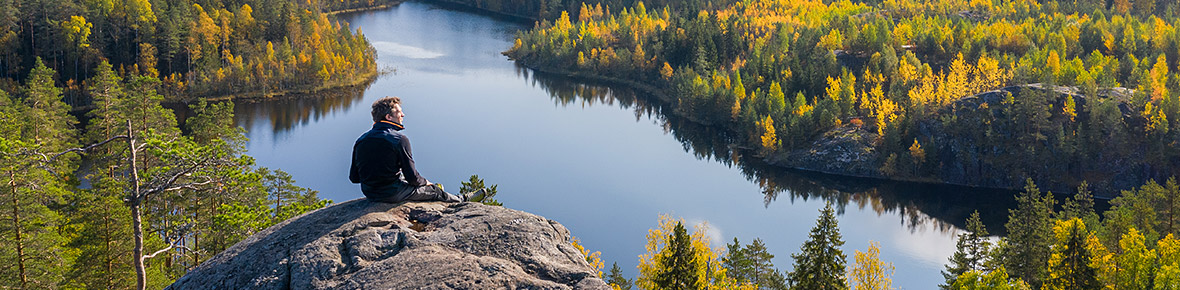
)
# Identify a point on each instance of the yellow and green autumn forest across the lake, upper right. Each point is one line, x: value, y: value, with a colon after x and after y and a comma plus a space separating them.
x: 984, y: 94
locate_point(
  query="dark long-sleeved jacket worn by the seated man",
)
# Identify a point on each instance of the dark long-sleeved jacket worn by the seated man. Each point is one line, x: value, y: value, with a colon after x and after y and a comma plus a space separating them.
x: 383, y: 157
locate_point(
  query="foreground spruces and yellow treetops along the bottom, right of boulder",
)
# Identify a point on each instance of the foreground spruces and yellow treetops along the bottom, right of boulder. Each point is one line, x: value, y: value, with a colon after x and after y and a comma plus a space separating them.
x: 1132, y: 246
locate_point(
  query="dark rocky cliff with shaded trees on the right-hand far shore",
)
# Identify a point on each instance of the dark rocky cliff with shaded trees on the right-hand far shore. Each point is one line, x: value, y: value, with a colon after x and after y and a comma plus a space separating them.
x: 987, y: 141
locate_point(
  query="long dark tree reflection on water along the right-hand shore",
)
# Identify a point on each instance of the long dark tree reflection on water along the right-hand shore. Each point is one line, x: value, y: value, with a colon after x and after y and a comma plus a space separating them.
x: 942, y: 208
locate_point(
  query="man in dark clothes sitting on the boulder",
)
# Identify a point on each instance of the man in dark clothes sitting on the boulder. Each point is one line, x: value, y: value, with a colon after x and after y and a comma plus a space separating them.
x: 384, y: 166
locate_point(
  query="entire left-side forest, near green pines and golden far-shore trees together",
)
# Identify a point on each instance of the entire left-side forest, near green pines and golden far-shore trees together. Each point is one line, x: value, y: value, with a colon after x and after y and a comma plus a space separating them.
x: 104, y: 187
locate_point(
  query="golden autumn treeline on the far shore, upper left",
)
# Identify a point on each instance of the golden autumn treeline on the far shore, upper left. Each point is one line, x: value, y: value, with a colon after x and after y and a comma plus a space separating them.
x: 196, y: 48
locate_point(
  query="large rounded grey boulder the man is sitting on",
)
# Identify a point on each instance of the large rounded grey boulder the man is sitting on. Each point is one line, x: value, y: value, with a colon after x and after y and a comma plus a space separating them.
x: 360, y: 245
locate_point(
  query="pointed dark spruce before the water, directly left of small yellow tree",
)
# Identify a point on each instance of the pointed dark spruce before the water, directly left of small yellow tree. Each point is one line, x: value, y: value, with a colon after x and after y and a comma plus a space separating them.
x: 822, y: 263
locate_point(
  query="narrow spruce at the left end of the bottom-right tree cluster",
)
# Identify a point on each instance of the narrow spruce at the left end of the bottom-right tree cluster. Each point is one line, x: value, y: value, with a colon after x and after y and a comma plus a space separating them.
x: 973, y: 251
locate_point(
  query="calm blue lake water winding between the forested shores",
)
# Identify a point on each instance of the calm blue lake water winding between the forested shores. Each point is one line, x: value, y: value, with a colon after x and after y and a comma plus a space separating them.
x: 605, y: 162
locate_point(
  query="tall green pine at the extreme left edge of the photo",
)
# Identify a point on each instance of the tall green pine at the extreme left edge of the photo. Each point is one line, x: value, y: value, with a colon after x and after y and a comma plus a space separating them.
x: 31, y: 247
